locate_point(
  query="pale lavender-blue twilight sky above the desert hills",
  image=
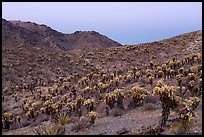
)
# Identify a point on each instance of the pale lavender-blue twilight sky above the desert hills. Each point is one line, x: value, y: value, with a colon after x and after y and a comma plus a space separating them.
x: 125, y: 22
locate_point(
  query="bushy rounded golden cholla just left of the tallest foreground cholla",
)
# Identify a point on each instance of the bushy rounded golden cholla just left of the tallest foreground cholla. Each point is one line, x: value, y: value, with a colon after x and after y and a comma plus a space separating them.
x: 138, y: 94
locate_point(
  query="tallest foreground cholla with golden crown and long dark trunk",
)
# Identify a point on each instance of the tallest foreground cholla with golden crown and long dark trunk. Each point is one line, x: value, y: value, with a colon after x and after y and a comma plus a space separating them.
x: 167, y: 98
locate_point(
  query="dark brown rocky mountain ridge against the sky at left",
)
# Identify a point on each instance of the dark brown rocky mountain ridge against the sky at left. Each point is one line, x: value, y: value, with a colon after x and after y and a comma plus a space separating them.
x: 16, y: 33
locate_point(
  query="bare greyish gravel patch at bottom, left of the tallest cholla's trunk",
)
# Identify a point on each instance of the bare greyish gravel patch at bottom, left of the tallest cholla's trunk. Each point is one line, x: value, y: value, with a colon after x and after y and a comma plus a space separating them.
x: 131, y: 120
